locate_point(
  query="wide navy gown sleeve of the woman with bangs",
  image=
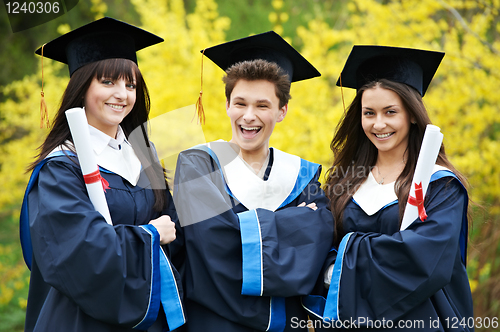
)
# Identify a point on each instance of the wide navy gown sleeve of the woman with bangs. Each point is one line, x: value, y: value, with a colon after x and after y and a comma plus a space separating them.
x: 105, y: 270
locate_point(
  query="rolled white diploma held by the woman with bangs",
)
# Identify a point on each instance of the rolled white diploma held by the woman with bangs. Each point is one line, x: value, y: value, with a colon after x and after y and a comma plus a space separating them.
x: 79, y: 128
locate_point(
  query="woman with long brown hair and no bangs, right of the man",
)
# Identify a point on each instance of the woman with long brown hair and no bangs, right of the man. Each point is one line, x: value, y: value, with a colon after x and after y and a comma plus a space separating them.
x: 385, y: 277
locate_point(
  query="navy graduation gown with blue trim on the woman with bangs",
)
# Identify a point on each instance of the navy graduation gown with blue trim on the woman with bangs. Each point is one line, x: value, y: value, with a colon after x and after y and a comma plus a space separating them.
x: 87, y: 275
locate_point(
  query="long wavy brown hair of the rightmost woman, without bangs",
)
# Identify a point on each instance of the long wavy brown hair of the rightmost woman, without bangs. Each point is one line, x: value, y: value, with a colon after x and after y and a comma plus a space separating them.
x: 354, y: 155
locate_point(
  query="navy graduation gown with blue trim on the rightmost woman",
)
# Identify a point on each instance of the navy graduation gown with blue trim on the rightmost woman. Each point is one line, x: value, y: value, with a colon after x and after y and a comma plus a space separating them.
x: 413, y: 279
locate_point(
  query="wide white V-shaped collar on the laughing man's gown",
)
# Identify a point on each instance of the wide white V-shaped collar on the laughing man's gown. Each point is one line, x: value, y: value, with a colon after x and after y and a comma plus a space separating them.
x: 251, y: 190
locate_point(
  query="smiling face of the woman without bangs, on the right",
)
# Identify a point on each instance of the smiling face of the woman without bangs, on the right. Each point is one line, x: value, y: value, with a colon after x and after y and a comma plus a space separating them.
x: 385, y: 121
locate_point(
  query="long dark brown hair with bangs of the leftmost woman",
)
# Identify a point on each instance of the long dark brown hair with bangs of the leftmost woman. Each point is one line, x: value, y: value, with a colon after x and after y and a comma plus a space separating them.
x: 137, y: 118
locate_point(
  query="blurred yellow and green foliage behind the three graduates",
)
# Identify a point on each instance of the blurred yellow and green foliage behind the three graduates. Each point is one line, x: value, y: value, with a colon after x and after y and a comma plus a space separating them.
x: 462, y: 99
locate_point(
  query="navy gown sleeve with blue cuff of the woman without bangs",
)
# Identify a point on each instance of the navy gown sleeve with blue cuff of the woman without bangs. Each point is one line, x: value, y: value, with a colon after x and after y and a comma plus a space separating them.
x: 387, y: 276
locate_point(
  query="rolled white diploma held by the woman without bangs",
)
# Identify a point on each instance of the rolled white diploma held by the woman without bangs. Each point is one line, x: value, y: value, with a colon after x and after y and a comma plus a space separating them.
x: 423, y: 171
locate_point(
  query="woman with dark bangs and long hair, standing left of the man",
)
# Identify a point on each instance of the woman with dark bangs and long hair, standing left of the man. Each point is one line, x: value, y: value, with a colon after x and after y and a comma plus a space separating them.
x: 88, y: 275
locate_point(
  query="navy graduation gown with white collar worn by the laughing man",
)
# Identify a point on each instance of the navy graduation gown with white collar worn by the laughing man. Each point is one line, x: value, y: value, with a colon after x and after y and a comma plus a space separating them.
x: 245, y: 267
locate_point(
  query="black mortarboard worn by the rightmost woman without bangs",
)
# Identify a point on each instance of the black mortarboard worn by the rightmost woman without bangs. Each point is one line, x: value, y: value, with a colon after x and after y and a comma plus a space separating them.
x: 367, y: 63
